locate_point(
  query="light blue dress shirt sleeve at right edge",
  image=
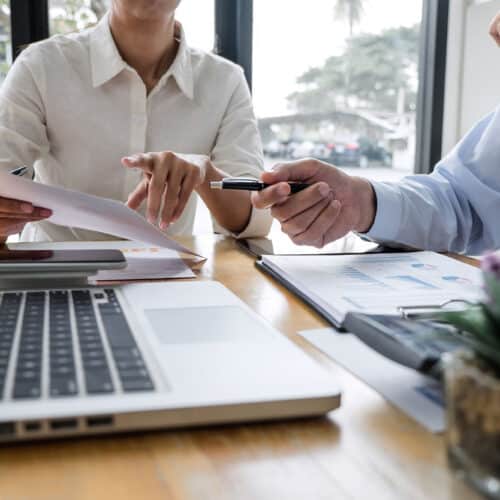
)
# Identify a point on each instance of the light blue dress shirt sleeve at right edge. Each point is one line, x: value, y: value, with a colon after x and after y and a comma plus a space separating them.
x: 456, y: 208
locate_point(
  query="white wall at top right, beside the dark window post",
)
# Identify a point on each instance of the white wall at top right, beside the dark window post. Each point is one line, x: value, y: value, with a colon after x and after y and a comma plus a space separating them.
x: 473, y: 68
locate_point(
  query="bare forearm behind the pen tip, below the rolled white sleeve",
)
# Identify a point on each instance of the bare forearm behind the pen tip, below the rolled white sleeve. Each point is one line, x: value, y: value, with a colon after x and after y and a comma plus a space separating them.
x: 231, y: 209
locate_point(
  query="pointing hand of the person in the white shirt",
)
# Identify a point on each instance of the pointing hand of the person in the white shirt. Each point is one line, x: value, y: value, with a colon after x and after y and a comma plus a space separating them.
x: 168, y: 181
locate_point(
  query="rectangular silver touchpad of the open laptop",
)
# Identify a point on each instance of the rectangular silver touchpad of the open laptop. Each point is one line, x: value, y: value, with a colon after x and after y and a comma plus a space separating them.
x: 205, y: 324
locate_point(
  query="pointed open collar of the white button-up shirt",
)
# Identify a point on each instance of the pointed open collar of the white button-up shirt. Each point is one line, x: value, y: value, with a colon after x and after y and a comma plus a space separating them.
x: 106, y: 61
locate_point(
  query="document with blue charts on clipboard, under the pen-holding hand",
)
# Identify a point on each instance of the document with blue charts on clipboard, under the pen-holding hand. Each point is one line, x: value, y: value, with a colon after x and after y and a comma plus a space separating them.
x: 374, y: 283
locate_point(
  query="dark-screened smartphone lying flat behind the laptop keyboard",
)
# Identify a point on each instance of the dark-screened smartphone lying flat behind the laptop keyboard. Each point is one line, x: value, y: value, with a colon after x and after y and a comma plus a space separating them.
x: 12, y: 261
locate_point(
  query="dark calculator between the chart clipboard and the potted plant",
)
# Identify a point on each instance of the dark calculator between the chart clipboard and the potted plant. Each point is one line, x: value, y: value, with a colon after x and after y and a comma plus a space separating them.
x: 417, y: 344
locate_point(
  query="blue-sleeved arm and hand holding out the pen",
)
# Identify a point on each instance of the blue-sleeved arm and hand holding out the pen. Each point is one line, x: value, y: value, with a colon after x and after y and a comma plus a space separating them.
x: 454, y: 209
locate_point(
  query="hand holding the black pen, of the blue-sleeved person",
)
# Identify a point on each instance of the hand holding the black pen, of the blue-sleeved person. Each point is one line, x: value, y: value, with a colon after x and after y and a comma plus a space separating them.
x: 333, y: 205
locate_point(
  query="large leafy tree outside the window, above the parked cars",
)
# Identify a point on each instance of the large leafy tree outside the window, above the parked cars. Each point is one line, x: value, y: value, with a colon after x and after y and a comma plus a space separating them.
x: 372, y: 72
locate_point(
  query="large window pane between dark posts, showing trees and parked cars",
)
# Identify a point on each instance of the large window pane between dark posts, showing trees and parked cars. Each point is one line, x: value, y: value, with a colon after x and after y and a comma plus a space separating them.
x: 338, y: 82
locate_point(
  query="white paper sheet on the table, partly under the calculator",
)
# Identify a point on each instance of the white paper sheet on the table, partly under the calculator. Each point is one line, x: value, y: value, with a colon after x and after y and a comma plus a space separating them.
x: 418, y: 396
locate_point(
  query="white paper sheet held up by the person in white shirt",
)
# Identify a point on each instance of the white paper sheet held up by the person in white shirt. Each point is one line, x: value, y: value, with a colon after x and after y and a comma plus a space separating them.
x: 75, y: 209
